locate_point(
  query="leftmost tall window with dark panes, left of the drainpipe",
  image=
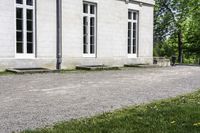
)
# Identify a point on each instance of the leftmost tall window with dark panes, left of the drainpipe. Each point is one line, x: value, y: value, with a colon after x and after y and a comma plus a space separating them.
x: 25, y: 28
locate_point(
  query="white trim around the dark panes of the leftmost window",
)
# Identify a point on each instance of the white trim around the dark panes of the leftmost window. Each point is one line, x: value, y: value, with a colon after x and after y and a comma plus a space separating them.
x: 25, y: 55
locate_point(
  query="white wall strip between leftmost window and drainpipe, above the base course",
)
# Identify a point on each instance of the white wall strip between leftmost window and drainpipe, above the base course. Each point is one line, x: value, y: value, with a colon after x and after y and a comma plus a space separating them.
x: 46, y: 29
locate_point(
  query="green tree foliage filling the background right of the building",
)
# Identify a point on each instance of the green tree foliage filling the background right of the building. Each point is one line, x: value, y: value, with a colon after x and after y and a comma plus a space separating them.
x: 177, y: 22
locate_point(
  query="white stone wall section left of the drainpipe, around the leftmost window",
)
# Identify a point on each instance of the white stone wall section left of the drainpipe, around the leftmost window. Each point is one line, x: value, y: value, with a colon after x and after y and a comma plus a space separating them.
x: 46, y: 36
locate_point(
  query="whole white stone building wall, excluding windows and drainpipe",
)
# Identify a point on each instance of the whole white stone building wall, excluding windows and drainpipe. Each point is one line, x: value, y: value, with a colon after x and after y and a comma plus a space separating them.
x: 112, y: 23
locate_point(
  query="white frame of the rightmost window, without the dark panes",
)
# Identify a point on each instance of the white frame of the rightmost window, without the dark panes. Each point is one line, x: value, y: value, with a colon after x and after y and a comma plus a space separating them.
x: 133, y: 54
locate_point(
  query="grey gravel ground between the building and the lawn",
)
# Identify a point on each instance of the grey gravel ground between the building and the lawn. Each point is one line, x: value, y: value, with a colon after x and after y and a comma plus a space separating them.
x: 31, y: 101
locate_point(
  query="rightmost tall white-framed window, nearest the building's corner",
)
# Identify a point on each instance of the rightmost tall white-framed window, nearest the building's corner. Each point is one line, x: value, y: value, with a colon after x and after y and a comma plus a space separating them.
x: 132, y: 33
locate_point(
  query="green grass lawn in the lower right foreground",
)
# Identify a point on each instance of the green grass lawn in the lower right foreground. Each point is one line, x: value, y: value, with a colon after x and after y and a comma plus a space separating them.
x: 177, y: 115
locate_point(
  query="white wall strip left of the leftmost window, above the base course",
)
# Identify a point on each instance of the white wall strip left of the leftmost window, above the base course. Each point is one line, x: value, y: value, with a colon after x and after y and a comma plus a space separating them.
x: 7, y: 26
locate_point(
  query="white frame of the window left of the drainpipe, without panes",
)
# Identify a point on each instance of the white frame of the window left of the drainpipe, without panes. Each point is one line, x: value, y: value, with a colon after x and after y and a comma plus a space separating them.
x: 25, y: 7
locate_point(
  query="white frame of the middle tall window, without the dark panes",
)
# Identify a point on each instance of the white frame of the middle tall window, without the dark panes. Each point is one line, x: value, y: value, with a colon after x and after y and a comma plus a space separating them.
x: 88, y: 15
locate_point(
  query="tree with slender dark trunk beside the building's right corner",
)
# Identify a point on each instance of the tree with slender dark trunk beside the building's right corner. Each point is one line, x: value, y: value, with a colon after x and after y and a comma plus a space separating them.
x: 170, y: 16
